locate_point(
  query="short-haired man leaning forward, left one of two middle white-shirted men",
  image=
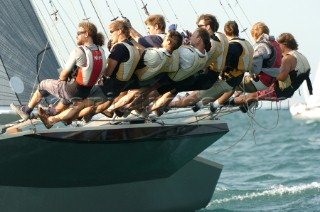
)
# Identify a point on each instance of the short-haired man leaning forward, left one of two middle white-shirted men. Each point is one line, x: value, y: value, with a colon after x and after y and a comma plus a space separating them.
x: 153, y: 65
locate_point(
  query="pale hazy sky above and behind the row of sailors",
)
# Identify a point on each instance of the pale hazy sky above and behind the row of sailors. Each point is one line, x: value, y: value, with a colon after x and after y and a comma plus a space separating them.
x: 297, y: 17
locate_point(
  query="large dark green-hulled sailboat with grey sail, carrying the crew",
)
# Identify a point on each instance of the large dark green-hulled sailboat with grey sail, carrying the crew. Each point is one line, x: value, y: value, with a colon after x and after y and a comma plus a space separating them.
x: 130, y: 164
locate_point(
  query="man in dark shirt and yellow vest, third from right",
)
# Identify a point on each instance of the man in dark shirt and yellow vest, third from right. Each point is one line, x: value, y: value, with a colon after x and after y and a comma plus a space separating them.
x: 238, y: 61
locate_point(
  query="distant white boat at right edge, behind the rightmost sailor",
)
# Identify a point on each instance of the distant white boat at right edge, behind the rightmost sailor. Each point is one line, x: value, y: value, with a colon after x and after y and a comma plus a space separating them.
x: 310, y: 109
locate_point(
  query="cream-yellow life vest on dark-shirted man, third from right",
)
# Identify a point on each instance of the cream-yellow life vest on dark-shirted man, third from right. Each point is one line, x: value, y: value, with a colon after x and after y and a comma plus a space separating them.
x: 245, y: 59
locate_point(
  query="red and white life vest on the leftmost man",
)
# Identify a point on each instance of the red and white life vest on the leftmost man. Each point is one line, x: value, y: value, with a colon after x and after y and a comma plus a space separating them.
x: 95, y: 63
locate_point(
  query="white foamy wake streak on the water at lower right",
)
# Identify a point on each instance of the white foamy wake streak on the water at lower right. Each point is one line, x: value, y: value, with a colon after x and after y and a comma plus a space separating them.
x: 274, y: 191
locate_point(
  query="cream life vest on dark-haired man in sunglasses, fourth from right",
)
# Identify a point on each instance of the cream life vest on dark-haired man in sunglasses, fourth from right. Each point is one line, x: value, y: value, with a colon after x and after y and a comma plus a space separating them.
x: 218, y: 53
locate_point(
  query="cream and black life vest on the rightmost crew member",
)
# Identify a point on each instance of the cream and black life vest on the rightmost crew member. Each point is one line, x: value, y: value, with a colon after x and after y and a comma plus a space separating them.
x: 295, y: 78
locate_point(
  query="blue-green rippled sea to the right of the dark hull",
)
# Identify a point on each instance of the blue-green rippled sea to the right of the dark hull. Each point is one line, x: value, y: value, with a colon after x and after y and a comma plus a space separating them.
x: 271, y: 163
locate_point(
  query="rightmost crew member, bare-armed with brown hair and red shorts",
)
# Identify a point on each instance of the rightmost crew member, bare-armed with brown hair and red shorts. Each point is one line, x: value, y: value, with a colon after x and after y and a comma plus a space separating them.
x: 295, y: 69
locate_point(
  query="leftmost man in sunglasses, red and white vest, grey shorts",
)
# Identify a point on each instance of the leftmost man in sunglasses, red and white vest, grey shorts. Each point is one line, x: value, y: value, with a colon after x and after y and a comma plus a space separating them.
x: 81, y: 72
